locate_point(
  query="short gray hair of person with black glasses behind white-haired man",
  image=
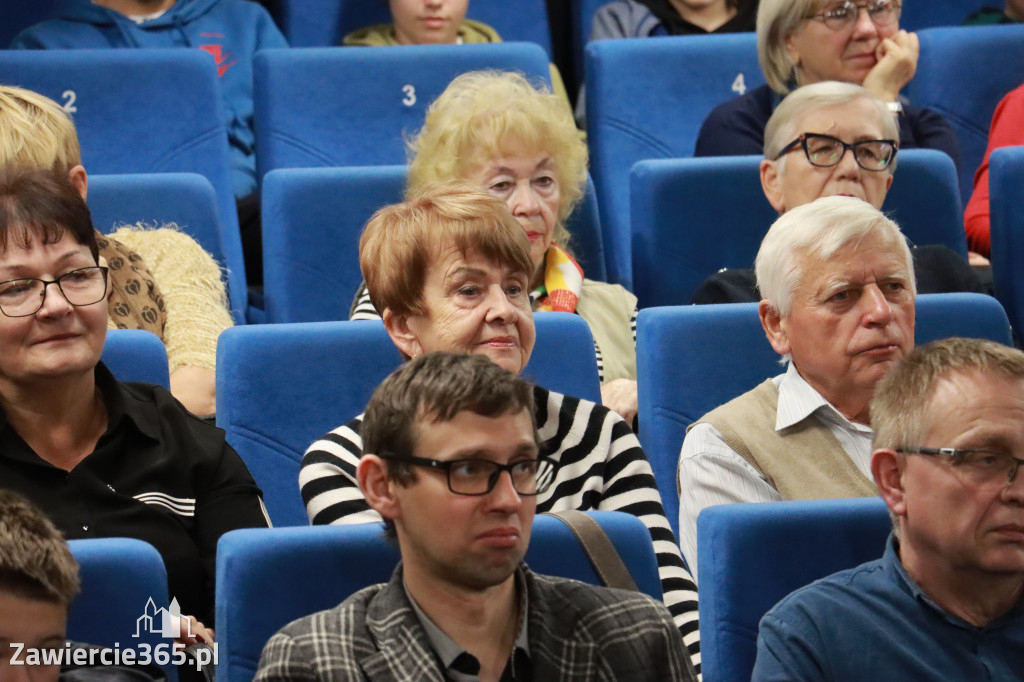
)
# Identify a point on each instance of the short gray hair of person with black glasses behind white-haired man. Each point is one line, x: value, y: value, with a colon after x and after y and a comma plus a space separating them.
x: 781, y: 130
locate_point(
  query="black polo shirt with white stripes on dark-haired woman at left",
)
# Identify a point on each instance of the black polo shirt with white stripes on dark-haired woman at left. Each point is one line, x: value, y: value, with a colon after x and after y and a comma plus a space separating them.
x: 158, y: 475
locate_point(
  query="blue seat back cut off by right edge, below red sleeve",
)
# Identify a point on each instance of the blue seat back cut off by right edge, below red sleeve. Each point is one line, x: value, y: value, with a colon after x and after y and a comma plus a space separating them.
x: 1006, y: 178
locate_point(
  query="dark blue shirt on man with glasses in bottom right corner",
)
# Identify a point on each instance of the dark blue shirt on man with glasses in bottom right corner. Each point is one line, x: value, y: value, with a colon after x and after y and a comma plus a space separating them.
x: 874, y: 623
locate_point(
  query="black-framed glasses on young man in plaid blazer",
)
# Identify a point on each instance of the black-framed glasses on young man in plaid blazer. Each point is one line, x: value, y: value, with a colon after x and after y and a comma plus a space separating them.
x: 477, y: 478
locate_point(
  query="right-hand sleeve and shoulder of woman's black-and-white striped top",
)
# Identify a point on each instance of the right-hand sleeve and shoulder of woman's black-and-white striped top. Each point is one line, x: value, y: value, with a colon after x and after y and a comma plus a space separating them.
x: 602, y: 466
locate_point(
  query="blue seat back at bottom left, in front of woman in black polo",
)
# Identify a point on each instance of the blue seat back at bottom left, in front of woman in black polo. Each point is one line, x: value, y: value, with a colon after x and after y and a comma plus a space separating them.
x: 119, y: 577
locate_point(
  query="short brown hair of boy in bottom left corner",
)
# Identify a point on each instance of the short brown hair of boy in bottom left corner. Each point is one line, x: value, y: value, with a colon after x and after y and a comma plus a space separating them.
x: 35, y: 562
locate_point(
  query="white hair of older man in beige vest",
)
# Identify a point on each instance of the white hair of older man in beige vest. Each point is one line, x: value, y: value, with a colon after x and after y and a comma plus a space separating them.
x: 820, y: 230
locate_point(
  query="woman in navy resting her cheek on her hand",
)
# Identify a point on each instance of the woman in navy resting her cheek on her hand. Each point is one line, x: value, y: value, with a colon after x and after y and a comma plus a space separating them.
x: 807, y: 41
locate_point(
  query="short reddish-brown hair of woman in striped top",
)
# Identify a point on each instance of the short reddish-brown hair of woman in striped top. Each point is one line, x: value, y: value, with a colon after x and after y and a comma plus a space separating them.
x: 401, y: 242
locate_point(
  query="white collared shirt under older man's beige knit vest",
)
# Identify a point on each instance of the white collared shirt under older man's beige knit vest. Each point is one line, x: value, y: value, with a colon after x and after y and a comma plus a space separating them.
x: 712, y: 474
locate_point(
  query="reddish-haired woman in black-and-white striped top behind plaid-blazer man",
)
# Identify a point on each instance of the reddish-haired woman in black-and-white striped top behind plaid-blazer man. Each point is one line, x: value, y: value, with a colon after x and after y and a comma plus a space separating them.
x: 450, y: 270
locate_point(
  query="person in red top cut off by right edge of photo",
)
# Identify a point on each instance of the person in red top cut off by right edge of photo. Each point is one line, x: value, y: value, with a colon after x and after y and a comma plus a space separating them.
x: 1007, y: 131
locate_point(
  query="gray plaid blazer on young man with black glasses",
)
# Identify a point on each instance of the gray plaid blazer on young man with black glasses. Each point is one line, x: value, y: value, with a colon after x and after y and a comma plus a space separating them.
x: 578, y: 633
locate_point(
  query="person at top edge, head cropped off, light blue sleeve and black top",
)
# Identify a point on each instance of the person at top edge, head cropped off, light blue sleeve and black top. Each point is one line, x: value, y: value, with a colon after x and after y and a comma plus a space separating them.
x: 644, y: 19
